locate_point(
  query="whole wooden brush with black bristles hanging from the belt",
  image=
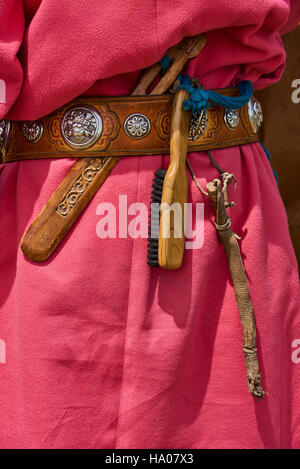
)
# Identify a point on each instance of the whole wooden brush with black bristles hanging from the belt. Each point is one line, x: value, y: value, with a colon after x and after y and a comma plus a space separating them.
x: 169, y: 195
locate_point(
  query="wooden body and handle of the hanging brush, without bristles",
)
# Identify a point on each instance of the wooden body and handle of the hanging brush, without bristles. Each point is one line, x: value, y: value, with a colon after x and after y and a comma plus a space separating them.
x: 175, y: 189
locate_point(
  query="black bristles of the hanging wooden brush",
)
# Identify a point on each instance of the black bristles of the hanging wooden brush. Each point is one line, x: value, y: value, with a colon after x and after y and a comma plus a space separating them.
x: 154, y: 217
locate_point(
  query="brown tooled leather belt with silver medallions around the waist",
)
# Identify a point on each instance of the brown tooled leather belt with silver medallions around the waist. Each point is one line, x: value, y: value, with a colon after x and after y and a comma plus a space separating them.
x: 124, y: 126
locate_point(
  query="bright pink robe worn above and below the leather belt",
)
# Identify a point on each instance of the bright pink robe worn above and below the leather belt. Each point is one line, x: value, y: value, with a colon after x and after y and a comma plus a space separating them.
x: 101, y: 350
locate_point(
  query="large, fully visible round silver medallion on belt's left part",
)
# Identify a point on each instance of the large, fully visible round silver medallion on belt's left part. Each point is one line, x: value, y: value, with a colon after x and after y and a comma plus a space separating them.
x: 81, y: 126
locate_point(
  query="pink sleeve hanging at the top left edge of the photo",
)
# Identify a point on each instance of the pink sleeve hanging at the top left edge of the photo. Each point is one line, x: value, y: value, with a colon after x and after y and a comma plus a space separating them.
x: 11, y: 34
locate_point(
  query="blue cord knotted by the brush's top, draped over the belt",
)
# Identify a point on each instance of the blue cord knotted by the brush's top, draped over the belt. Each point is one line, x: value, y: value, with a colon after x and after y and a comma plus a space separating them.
x: 199, y: 98
